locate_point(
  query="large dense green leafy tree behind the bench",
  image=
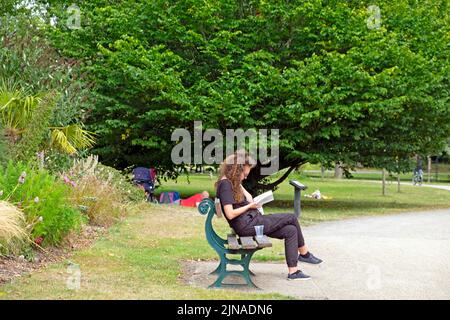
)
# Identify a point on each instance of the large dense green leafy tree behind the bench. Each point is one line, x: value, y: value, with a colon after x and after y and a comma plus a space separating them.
x: 340, y: 83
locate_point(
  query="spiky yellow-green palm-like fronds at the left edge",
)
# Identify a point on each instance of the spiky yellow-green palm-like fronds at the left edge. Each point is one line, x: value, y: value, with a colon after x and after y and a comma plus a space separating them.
x: 17, y: 108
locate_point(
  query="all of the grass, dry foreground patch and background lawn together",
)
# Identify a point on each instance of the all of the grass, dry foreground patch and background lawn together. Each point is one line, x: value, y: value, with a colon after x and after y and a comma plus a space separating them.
x: 141, y: 257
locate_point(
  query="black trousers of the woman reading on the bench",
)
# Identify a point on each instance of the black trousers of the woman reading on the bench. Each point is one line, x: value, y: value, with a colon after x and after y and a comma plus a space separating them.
x: 280, y: 225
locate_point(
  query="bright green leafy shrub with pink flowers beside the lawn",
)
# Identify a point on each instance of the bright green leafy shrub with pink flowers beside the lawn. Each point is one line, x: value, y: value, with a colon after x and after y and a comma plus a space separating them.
x: 43, y: 199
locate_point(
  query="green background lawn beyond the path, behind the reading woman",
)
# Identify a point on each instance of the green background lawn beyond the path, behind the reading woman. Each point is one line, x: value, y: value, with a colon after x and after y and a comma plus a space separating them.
x: 349, y: 198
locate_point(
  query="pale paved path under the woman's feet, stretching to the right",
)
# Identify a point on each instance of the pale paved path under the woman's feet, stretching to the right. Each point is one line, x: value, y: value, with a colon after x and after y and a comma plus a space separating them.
x: 404, y: 256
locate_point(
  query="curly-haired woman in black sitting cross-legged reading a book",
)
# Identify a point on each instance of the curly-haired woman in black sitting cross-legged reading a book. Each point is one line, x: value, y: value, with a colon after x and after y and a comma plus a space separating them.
x: 242, y: 214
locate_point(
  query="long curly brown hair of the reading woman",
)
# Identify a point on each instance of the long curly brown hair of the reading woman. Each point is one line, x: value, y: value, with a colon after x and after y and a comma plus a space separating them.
x: 231, y: 168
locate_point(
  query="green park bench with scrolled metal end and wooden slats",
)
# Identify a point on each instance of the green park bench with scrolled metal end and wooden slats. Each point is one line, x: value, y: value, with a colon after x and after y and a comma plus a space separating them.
x: 244, y: 247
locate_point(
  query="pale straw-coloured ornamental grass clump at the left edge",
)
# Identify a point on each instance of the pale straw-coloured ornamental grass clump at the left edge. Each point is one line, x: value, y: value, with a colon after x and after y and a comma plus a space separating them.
x: 12, y: 228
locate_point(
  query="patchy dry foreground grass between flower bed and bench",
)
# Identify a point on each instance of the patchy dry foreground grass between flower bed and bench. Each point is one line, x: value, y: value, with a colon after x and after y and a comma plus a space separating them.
x: 138, y: 259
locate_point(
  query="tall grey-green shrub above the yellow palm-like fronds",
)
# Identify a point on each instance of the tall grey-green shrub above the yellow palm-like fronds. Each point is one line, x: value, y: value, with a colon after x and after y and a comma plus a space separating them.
x: 27, y: 57
